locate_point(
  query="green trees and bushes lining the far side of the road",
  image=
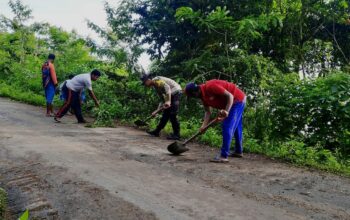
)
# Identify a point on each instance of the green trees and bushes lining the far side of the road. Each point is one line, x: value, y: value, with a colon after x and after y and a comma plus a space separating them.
x: 290, y: 57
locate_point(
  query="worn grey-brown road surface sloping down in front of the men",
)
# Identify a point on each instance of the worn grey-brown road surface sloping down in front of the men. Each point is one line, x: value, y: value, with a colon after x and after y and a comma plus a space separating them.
x: 66, y: 171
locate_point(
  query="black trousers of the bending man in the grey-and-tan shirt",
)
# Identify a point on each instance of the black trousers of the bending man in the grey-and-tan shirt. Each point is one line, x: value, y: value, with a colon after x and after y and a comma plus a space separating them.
x: 171, y: 114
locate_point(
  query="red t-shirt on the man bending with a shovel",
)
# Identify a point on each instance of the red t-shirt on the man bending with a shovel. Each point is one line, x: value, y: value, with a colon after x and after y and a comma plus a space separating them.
x: 213, y: 93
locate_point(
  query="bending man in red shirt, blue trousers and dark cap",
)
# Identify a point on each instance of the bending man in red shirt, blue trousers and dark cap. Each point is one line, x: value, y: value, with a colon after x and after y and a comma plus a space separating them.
x: 230, y: 101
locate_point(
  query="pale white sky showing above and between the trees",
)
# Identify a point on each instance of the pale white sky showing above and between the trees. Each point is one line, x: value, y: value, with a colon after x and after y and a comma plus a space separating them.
x: 70, y: 15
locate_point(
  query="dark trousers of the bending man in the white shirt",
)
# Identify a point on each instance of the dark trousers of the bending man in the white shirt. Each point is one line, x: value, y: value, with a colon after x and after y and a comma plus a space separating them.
x: 72, y: 101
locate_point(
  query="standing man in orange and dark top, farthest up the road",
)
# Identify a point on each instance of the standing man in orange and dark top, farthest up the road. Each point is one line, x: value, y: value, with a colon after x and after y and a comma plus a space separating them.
x: 49, y: 83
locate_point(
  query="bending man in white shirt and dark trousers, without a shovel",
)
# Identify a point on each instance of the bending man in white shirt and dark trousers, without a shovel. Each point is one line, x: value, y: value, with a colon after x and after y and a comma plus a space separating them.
x: 73, y: 88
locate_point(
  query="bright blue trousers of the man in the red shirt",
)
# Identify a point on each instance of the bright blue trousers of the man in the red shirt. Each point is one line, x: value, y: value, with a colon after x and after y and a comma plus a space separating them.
x: 233, y: 126
